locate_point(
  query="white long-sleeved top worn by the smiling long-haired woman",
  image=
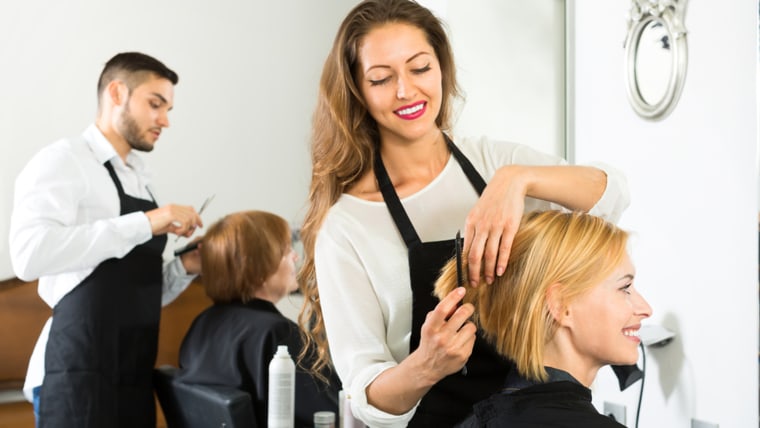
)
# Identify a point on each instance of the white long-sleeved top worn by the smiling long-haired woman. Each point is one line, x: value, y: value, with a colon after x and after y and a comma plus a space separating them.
x: 363, y: 272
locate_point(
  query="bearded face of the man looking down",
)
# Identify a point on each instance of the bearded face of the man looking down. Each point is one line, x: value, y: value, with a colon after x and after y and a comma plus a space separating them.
x: 145, y: 113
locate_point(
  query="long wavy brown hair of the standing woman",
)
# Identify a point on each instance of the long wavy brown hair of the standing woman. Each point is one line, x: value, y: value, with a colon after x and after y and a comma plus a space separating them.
x: 344, y: 135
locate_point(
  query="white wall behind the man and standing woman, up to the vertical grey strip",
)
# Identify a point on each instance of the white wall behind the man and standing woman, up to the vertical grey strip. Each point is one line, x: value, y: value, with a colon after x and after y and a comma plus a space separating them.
x: 249, y: 73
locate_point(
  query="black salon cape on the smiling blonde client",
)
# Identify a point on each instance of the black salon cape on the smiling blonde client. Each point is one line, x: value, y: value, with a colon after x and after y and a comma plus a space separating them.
x: 554, y: 404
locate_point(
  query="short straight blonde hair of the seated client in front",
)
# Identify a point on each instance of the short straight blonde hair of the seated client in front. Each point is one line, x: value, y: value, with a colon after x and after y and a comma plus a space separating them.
x: 576, y: 250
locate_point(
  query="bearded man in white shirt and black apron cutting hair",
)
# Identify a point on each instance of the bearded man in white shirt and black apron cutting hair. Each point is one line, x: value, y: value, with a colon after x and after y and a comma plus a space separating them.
x: 87, y: 224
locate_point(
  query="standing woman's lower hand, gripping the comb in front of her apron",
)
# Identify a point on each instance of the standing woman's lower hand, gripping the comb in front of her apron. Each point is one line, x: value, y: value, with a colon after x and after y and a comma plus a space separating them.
x: 447, y: 337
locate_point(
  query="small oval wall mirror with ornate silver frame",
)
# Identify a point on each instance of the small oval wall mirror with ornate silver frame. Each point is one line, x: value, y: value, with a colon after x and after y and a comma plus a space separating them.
x: 656, y: 56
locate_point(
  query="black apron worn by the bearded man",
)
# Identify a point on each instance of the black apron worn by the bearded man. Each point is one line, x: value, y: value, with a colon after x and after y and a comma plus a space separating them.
x: 104, y: 339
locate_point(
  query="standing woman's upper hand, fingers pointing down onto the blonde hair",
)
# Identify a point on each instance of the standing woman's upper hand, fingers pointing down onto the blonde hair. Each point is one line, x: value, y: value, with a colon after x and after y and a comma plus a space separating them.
x: 492, y: 223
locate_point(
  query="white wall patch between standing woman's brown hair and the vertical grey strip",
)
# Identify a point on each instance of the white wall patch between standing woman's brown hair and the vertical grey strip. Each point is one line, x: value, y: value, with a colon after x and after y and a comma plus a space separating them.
x: 511, y: 67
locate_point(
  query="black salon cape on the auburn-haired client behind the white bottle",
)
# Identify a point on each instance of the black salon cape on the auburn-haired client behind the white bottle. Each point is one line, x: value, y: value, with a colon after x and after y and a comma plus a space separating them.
x: 232, y: 344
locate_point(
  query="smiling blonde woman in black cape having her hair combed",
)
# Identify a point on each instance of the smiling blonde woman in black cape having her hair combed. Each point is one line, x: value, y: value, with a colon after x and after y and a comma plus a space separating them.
x: 565, y: 307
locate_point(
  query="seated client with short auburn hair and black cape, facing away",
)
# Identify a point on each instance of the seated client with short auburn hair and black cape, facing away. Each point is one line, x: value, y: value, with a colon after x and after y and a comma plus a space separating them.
x: 248, y: 265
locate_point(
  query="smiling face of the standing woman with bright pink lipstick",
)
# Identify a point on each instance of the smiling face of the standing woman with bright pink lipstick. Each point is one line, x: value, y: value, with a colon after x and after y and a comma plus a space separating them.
x: 400, y: 80
